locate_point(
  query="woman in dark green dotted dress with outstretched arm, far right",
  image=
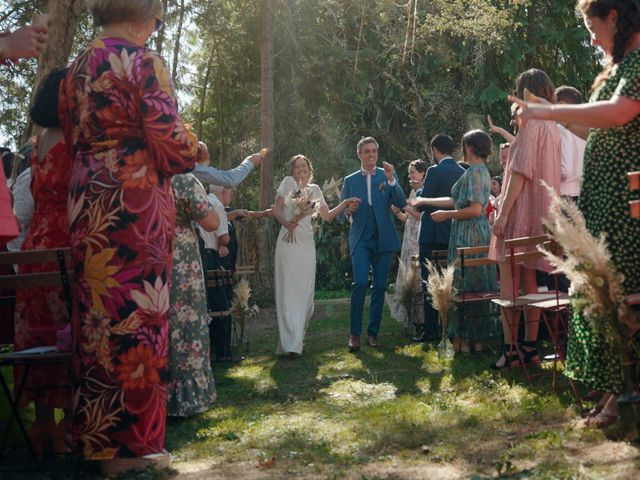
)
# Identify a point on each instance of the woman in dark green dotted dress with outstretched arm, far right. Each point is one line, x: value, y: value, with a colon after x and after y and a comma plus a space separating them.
x: 613, y: 146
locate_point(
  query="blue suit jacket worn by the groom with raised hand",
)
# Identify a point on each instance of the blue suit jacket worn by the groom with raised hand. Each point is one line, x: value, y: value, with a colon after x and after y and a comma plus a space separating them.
x: 382, y: 197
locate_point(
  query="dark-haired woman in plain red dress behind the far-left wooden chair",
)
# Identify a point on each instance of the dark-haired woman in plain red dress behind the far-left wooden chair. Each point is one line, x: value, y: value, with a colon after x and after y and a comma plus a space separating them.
x: 40, y: 313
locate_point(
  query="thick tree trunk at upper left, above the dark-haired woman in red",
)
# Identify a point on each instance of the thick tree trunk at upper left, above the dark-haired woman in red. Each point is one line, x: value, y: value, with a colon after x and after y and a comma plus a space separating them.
x: 63, y: 20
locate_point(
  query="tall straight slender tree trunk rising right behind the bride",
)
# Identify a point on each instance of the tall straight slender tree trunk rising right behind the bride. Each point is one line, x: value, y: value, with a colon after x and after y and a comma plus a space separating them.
x: 265, y: 255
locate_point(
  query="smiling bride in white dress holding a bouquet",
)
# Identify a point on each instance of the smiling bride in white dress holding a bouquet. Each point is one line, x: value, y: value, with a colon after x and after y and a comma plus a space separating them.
x: 295, y: 261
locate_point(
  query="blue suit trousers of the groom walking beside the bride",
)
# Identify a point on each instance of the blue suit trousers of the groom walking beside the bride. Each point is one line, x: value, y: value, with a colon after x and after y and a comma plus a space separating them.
x: 364, y: 258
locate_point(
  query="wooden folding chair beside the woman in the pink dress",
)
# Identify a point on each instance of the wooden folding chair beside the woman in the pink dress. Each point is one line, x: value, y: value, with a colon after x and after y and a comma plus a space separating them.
x: 553, y: 304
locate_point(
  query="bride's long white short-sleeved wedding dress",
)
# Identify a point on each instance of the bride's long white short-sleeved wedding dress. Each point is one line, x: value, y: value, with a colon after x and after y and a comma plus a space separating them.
x: 295, y: 274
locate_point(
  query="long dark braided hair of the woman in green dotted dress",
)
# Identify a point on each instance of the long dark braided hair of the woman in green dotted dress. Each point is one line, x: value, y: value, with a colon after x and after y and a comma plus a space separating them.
x: 627, y: 24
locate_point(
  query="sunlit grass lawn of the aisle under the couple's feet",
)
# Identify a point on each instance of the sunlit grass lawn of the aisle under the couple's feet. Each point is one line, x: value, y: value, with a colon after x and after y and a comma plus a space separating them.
x: 398, y: 412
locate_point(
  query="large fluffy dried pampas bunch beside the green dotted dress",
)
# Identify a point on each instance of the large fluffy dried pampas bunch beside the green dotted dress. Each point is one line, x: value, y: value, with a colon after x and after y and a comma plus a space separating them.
x: 586, y: 261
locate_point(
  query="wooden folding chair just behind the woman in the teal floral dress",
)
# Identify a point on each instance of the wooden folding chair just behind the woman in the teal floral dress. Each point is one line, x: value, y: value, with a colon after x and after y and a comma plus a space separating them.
x: 472, y: 257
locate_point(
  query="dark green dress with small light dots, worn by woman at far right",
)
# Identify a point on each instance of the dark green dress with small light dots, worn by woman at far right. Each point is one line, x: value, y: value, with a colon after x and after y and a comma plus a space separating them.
x: 604, y: 200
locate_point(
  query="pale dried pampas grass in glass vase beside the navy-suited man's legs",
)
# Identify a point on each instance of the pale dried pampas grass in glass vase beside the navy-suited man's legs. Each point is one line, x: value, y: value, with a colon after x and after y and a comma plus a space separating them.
x: 440, y: 287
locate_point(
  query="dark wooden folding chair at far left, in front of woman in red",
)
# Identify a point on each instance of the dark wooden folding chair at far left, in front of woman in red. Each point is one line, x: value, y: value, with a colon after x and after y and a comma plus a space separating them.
x: 62, y: 277
